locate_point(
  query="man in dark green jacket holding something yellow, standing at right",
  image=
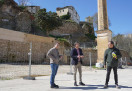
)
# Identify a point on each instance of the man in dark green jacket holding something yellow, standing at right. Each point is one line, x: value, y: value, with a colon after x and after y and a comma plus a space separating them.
x: 111, y: 56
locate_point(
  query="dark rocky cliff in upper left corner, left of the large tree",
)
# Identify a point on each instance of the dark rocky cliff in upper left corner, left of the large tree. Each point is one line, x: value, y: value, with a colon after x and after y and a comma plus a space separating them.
x: 14, y: 17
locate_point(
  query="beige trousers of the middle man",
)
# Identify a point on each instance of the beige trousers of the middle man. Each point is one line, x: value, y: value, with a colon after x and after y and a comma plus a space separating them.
x: 79, y: 67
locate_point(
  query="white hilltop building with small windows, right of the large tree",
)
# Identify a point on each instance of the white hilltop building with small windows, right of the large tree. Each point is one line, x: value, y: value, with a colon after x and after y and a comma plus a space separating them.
x: 74, y: 15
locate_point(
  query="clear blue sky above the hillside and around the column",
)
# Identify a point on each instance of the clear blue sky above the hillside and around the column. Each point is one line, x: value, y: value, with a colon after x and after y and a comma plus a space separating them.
x: 119, y: 11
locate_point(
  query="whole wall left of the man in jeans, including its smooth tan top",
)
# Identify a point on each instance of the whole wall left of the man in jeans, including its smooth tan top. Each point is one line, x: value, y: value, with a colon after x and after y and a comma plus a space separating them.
x: 14, y: 46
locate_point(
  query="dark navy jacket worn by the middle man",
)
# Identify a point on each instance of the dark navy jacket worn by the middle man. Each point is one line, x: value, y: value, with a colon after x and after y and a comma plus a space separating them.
x: 74, y: 55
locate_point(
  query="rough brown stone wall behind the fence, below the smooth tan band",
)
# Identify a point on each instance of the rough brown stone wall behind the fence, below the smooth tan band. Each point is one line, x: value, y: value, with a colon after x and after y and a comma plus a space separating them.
x: 17, y: 52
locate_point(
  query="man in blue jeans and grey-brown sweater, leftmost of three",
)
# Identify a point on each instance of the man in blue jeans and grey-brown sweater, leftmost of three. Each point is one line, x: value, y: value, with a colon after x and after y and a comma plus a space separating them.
x: 54, y: 56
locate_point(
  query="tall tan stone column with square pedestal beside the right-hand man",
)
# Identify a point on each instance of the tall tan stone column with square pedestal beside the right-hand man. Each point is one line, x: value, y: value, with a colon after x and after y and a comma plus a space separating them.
x: 104, y: 35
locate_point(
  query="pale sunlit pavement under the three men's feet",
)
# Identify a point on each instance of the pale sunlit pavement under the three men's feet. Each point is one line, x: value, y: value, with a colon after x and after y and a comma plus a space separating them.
x: 93, y: 79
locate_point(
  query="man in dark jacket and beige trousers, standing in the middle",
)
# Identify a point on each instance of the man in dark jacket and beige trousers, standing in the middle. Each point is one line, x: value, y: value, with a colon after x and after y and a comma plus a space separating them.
x: 77, y: 56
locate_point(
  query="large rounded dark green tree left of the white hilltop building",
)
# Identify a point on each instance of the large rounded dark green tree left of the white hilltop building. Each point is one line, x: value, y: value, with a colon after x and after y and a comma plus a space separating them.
x: 47, y: 21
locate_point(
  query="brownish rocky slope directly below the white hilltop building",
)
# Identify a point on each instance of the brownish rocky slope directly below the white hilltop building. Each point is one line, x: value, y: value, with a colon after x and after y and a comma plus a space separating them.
x: 78, y: 31
